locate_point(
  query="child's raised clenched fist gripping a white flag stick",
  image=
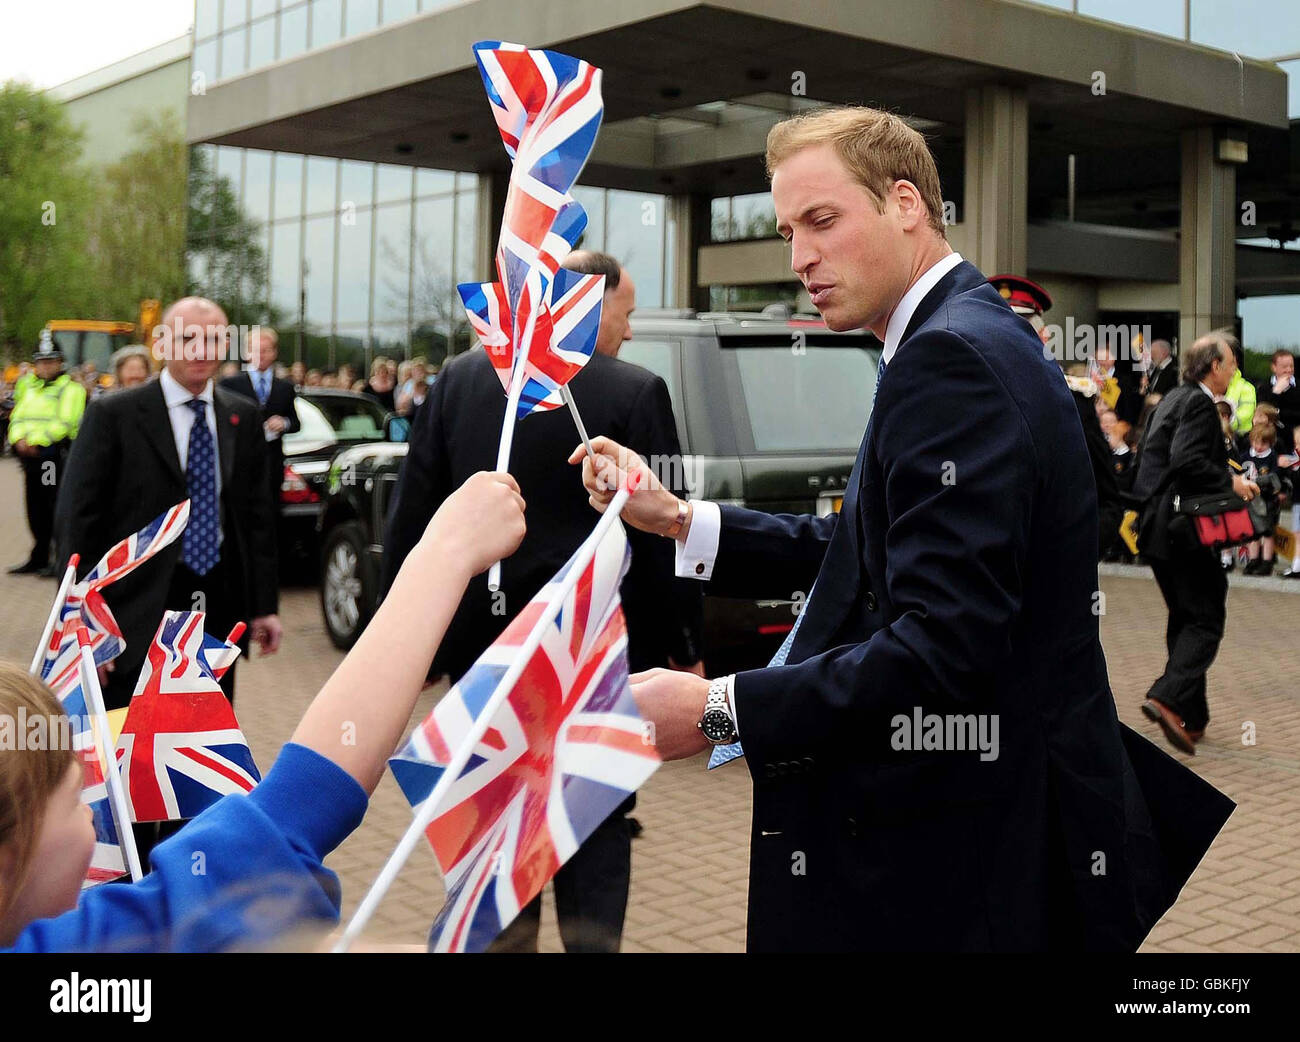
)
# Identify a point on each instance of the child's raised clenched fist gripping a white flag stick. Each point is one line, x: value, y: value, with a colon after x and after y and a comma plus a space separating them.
x: 479, y: 524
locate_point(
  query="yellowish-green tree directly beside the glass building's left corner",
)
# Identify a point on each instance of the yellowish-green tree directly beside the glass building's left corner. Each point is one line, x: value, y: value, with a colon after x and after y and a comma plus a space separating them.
x: 140, y: 231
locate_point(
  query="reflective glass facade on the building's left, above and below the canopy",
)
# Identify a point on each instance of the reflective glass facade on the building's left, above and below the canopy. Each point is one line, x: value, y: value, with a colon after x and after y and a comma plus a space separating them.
x: 350, y: 260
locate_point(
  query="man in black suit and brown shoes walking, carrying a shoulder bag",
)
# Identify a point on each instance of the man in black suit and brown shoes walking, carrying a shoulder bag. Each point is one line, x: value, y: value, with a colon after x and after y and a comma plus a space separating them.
x: 1184, y: 453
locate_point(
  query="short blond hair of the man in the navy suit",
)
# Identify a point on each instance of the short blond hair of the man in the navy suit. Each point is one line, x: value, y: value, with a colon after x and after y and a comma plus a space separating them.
x: 878, y: 147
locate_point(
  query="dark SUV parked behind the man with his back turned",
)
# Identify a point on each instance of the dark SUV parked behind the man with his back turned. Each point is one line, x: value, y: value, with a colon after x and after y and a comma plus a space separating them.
x: 770, y: 413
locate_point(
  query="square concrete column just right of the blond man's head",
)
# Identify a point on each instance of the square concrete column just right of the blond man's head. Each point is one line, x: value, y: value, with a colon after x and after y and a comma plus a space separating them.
x: 998, y: 159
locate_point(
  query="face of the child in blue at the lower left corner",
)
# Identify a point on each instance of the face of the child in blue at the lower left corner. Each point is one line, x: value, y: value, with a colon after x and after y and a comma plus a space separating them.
x: 64, y: 849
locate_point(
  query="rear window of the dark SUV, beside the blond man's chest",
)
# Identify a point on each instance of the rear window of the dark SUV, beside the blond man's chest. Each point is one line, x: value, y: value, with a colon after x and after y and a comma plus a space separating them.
x: 809, y: 402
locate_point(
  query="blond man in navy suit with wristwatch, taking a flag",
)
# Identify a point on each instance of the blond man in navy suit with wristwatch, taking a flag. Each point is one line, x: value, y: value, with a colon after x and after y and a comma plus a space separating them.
x: 935, y: 753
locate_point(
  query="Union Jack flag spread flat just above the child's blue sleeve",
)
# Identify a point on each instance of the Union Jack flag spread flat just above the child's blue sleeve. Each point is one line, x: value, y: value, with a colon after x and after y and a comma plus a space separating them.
x: 181, y: 748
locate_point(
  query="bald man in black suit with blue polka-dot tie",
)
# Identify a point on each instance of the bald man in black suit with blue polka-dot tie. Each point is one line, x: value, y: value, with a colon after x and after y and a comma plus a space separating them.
x: 145, y: 450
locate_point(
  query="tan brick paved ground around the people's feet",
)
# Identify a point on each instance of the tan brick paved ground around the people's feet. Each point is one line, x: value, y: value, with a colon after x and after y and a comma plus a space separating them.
x: 691, y: 865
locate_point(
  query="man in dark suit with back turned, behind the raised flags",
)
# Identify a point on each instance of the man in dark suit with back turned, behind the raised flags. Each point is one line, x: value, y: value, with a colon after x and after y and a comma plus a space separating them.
x: 456, y: 436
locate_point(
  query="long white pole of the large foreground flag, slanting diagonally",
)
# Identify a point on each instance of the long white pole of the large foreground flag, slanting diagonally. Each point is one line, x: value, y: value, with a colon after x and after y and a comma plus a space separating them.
x: 428, y: 810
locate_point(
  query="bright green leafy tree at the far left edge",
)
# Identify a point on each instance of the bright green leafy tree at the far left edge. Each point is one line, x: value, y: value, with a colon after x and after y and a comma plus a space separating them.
x: 46, y: 201
